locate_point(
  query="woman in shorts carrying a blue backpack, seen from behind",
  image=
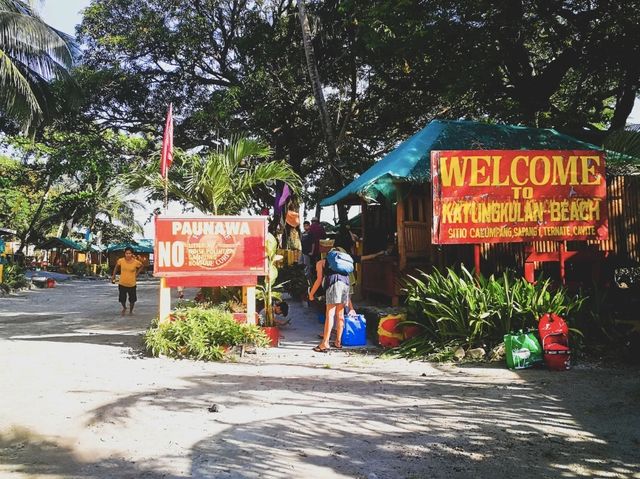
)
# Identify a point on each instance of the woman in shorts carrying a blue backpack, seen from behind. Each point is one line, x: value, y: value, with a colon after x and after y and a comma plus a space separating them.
x: 333, y: 273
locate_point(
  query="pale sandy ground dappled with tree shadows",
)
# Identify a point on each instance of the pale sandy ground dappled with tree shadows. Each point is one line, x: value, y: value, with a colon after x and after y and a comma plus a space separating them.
x: 79, y: 399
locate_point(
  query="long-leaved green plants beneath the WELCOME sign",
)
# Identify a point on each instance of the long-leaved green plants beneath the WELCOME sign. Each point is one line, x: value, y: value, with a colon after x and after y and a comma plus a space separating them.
x: 462, y: 310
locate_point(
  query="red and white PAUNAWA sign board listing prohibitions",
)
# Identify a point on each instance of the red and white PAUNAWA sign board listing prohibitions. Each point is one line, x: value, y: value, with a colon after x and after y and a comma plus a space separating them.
x: 228, y: 245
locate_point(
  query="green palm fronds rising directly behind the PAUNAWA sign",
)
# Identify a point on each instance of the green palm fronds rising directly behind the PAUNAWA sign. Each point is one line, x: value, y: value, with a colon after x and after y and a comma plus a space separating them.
x: 222, y: 182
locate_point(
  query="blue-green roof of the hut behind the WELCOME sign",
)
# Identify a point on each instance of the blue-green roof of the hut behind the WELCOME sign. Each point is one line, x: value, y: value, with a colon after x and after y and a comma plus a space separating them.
x: 411, y: 160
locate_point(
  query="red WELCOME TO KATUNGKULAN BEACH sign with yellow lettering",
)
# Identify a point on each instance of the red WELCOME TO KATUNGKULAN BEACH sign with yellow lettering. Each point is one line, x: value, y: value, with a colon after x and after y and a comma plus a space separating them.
x: 518, y: 195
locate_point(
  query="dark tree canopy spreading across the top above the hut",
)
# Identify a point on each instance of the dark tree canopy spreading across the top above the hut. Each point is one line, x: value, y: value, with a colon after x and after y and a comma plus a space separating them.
x: 386, y: 68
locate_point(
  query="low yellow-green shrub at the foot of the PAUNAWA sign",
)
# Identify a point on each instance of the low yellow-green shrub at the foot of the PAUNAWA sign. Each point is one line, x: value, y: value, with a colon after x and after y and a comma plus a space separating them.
x: 200, y: 333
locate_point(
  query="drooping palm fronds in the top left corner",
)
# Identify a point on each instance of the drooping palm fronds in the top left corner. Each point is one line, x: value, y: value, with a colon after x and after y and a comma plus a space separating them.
x: 32, y: 54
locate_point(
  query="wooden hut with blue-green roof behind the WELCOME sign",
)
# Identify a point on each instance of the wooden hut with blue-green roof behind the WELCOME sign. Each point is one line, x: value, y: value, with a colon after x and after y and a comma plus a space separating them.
x: 396, y: 199
